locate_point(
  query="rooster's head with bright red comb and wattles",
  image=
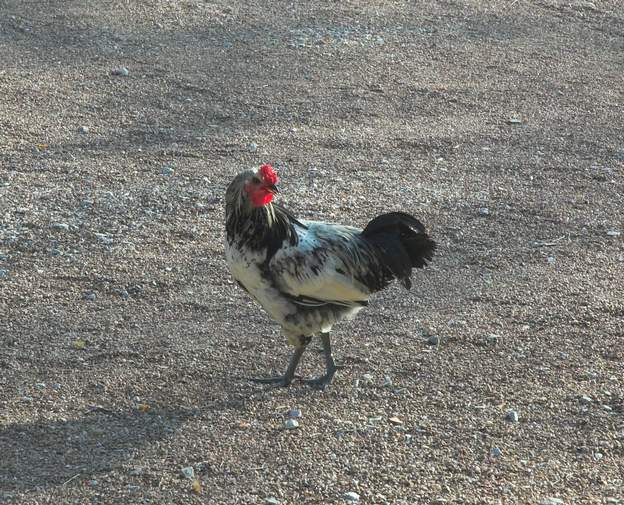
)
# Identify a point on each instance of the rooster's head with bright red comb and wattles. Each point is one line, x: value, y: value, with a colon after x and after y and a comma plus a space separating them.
x: 253, y: 187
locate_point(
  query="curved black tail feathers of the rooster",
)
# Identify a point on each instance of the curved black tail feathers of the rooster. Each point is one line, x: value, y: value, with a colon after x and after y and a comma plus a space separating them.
x: 403, y: 243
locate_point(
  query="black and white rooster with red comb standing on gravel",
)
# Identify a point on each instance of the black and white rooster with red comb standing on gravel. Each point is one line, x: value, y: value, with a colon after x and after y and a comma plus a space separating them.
x: 309, y: 275
